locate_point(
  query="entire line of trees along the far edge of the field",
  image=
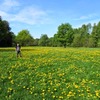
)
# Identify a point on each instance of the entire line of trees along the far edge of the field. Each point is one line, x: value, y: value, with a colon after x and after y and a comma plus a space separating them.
x: 66, y: 36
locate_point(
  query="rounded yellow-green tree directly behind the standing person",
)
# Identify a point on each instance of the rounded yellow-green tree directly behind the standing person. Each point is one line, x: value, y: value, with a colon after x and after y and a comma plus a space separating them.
x: 24, y: 38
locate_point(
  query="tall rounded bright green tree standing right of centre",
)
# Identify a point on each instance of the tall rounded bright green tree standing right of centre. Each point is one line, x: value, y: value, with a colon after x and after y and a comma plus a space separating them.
x: 65, y: 34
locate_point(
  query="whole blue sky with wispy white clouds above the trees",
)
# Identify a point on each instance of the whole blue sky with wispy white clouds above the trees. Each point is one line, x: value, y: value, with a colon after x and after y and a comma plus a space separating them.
x: 44, y: 16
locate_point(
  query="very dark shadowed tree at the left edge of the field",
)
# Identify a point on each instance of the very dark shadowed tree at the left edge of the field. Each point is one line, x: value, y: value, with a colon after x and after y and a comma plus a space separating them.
x: 6, y: 36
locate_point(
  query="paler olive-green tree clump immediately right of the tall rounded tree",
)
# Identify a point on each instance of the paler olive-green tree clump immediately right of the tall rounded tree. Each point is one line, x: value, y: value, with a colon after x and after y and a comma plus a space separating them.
x: 81, y: 36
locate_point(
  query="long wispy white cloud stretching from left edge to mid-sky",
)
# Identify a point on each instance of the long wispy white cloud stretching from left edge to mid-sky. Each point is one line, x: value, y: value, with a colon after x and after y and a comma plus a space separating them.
x: 28, y: 15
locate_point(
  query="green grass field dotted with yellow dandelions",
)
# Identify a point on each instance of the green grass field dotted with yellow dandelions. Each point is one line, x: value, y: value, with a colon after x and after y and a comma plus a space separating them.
x: 44, y: 73
